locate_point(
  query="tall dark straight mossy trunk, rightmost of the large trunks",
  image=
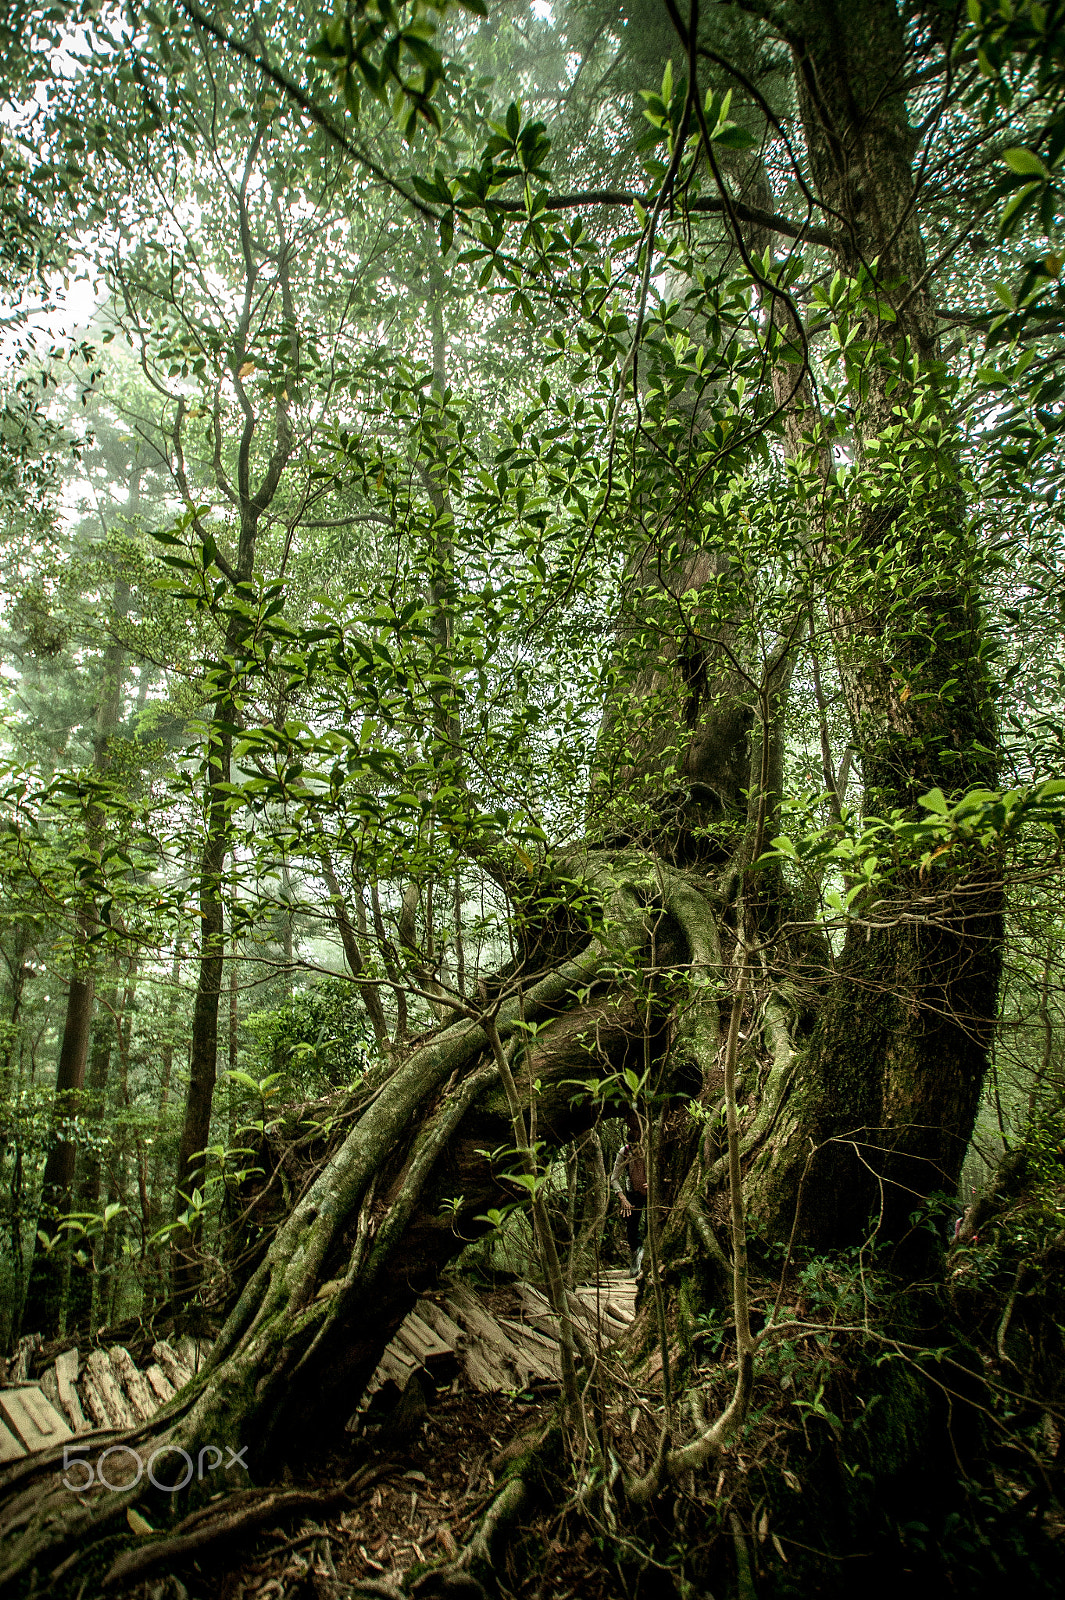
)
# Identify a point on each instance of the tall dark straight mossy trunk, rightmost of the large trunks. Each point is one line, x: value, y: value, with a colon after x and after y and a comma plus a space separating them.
x: 891, y: 1082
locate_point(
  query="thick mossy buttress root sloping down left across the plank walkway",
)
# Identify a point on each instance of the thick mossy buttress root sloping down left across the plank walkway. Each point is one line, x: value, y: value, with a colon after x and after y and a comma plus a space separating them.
x: 329, y: 1295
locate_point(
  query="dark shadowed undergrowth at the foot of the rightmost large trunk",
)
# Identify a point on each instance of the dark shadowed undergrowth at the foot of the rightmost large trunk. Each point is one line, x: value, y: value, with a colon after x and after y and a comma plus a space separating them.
x: 888, y: 1446
